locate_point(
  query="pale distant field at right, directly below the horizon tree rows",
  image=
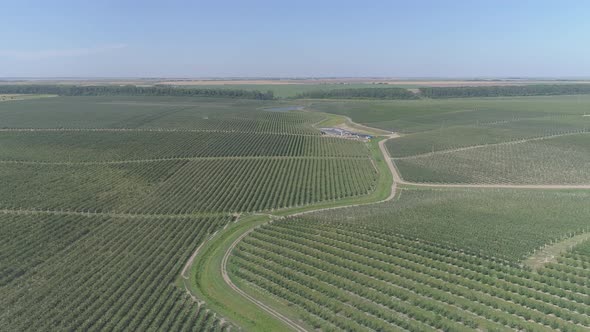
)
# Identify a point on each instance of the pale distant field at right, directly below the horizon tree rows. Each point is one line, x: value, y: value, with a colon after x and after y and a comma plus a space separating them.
x: 413, y: 116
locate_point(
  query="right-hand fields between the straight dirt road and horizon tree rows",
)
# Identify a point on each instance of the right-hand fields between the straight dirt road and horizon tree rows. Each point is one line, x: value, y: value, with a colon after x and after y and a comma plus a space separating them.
x: 482, y: 140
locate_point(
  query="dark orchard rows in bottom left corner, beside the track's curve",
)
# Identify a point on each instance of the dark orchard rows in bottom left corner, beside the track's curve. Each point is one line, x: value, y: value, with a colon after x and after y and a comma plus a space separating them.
x: 95, y: 273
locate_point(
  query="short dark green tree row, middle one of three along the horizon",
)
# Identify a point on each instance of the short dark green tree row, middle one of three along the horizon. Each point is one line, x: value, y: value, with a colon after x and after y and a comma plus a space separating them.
x: 360, y: 93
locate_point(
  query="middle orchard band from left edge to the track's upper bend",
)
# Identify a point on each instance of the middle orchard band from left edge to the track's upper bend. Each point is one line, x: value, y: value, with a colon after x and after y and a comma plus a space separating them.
x: 185, y: 186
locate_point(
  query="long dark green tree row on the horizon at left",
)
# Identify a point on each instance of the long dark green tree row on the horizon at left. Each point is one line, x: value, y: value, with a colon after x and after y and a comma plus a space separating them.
x: 132, y: 90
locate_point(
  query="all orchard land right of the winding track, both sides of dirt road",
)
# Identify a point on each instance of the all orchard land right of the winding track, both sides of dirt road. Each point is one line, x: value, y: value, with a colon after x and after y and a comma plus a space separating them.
x: 442, y: 258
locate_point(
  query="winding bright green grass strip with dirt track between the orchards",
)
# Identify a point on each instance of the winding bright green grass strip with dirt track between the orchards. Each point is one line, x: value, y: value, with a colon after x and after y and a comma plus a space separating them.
x: 207, y: 272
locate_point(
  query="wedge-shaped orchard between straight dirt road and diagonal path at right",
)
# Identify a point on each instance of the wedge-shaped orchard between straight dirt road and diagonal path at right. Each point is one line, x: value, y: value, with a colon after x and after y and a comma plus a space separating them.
x: 558, y: 160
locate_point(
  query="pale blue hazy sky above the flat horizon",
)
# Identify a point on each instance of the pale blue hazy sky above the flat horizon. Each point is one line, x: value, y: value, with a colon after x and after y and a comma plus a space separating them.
x: 294, y: 38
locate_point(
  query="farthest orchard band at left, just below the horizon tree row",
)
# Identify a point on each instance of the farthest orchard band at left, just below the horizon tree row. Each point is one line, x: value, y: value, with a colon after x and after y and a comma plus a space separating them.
x: 154, y: 112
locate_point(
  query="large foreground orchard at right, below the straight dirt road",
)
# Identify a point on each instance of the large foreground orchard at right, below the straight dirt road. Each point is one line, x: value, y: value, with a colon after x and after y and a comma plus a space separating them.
x: 432, y: 259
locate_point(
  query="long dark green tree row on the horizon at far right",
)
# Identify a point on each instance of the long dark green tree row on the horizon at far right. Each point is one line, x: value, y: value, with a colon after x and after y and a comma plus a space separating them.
x: 505, y: 91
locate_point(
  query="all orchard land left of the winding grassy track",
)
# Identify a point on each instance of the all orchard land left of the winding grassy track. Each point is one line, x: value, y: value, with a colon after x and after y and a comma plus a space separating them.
x: 105, y: 199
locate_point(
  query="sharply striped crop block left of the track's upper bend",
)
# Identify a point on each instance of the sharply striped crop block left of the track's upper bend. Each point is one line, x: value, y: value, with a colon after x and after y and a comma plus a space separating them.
x: 258, y: 184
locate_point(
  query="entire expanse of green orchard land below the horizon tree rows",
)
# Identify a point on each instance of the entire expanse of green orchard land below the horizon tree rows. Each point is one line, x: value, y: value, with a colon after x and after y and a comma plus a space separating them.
x: 122, y: 213
